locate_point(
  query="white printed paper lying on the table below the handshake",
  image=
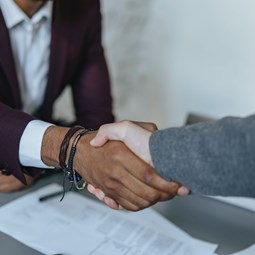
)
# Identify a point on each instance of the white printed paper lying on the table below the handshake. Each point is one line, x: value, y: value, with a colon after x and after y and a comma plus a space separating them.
x: 81, y: 226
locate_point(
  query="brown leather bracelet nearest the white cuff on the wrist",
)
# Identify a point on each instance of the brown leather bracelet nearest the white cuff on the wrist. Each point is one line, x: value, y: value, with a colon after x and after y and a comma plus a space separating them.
x: 64, y: 145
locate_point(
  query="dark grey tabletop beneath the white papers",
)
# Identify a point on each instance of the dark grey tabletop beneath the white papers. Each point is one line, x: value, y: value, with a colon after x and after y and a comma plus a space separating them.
x: 231, y: 227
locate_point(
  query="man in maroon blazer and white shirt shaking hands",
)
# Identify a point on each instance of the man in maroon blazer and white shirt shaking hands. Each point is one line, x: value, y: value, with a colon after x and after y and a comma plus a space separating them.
x: 76, y: 58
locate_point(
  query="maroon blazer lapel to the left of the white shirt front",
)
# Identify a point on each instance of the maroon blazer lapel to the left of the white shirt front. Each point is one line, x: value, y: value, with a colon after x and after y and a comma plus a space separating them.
x: 7, y: 62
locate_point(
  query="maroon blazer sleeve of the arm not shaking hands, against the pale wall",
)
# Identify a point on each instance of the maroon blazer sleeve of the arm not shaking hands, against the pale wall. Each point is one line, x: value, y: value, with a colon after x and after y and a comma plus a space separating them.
x: 91, y: 89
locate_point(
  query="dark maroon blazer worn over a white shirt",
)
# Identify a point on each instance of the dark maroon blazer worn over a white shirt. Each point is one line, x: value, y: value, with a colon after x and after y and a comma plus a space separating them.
x: 76, y: 59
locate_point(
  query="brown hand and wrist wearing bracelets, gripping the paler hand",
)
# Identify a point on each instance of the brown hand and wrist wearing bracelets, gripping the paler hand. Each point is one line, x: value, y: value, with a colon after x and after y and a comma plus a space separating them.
x: 112, y: 168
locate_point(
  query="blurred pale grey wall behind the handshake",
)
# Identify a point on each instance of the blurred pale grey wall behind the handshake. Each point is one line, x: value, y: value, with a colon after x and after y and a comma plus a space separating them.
x: 168, y: 58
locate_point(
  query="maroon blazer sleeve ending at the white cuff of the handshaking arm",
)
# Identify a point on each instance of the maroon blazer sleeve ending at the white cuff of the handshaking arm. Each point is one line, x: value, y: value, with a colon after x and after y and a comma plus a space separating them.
x: 12, y: 125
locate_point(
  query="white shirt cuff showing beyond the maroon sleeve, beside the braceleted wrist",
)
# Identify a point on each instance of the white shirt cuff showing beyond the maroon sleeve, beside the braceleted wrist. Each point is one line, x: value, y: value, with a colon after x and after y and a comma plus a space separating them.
x: 31, y: 143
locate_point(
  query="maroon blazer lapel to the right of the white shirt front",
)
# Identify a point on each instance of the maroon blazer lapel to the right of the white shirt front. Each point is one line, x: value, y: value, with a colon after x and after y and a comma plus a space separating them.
x: 58, y: 56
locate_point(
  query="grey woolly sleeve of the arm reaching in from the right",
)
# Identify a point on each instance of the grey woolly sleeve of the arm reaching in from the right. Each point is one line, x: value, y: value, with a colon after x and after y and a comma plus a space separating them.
x: 210, y: 158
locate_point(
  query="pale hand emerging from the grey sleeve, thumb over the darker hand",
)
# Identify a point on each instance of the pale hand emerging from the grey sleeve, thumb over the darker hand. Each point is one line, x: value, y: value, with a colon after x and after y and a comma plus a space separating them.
x: 135, y: 136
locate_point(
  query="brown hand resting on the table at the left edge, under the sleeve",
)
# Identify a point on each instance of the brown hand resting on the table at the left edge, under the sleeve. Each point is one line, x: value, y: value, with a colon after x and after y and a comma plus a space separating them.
x: 11, y: 183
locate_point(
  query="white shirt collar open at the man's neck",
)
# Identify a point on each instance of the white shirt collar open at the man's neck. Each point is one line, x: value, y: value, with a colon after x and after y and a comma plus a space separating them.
x: 13, y: 15
